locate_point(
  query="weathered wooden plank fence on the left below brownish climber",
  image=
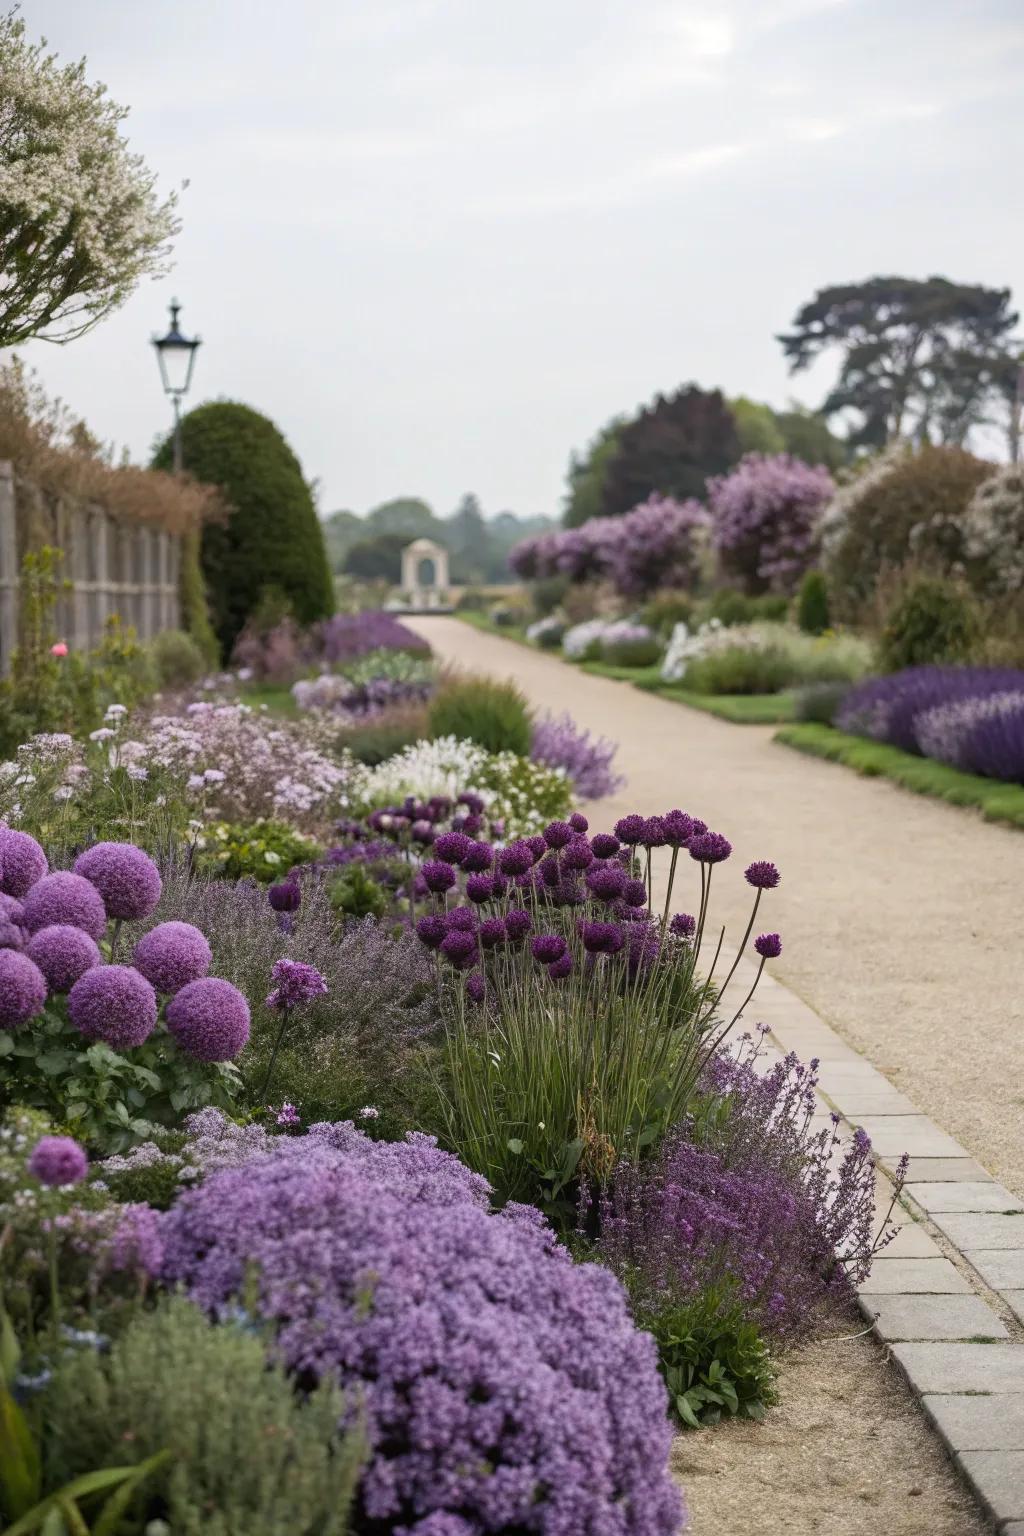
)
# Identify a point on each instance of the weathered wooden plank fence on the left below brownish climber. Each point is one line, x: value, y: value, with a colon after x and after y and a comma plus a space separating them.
x: 113, y: 568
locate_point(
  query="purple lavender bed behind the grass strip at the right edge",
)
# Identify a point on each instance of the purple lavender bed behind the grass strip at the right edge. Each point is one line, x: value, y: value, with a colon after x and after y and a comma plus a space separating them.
x: 971, y: 718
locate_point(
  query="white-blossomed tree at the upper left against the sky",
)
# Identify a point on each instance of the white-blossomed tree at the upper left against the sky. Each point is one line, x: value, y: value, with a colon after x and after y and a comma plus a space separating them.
x: 81, y: 222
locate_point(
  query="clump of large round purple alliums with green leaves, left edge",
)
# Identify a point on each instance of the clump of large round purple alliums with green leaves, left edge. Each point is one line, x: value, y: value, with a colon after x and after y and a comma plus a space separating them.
x: 108, y: 1045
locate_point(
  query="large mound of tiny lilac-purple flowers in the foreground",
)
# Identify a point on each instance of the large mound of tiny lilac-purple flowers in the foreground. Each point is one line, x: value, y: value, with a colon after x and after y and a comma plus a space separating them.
x: 504, y: 1386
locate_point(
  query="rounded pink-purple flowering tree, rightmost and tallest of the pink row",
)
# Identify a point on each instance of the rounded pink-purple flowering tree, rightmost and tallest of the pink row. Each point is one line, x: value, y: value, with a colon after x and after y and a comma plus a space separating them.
x: 767, y: 517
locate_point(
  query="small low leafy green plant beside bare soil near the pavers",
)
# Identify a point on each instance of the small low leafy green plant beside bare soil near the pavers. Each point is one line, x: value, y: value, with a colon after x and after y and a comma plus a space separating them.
x: 716, y: 1365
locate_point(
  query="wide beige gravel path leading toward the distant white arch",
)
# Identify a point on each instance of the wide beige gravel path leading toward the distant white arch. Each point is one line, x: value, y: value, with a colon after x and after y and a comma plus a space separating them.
x: 900, y: 916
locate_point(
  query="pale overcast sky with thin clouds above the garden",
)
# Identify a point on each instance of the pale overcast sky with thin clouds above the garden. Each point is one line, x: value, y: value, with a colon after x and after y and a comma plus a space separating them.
x: 441, y: 242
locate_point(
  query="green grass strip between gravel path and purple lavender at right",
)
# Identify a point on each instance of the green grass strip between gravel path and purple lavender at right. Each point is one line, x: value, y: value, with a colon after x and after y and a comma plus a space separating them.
x: 997, y: 803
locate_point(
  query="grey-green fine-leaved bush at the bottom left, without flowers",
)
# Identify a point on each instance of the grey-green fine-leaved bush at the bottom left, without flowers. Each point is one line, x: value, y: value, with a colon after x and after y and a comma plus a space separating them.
x: 249, y: 1457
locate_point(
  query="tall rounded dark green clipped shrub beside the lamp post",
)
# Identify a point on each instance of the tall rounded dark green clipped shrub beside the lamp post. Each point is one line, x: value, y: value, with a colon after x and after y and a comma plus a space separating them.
x: 273, y: 534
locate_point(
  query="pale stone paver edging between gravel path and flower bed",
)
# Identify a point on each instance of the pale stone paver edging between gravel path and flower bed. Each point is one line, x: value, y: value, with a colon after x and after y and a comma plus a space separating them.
x: 948, y: 1294
